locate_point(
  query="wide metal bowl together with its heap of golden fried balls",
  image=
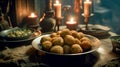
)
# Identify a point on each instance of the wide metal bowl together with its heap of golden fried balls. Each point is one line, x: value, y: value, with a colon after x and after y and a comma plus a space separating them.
x: 66, y: 42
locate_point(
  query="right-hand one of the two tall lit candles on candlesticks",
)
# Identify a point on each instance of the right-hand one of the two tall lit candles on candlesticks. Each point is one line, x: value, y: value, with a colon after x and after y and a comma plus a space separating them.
x: 87, y: 5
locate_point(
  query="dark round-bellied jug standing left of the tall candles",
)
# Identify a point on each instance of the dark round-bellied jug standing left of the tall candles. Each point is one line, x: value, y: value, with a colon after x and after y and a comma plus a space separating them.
x: 48, y: 22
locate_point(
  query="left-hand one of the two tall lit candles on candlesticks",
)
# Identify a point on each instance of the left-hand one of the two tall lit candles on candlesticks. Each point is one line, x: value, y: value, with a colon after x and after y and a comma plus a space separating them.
x: 57, y: 6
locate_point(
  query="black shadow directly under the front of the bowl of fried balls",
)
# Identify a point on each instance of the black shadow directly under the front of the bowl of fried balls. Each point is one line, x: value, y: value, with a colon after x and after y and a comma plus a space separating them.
x: 87, y: 60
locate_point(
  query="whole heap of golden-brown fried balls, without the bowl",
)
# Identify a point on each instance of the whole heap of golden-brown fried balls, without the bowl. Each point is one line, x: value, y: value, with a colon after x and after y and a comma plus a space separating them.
x: 66, y: 42
